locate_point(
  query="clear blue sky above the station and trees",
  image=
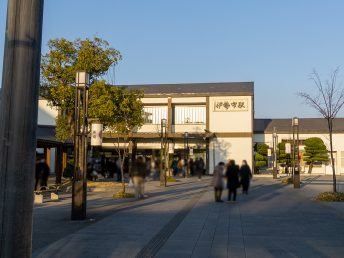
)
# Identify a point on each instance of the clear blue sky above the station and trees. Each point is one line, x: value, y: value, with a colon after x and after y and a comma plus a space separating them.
x: 274, y: 43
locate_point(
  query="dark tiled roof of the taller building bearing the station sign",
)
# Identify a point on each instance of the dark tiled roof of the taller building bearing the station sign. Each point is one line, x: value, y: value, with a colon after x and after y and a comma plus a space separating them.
x: 235, y: 88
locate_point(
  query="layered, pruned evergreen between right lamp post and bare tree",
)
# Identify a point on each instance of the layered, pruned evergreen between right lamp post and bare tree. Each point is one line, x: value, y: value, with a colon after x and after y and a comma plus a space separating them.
x: 315, y: 151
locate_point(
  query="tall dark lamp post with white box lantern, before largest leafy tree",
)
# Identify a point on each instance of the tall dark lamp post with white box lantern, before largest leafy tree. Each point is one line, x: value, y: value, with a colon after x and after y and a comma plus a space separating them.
x: 80, y: 146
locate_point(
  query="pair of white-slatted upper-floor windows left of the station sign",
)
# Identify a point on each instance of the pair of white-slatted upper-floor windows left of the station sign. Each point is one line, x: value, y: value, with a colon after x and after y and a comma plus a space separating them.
x: 180, y: 114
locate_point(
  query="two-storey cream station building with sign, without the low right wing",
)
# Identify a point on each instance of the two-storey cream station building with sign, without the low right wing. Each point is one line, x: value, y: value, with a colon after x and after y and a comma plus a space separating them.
x: 209, y: 120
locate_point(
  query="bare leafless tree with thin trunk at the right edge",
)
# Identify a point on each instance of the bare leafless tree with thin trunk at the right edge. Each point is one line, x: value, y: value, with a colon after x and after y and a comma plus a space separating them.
x: 328, y: 101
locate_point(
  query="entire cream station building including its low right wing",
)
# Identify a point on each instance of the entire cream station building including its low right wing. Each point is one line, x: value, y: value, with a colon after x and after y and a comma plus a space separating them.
x: 214, y: 121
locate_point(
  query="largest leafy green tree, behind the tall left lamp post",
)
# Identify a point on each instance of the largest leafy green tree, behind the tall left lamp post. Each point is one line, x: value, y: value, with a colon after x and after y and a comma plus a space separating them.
x: 58, y: 68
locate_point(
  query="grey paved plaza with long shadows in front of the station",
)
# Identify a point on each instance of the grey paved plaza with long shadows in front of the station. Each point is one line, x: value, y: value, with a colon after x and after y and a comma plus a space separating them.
x: 183, y: 220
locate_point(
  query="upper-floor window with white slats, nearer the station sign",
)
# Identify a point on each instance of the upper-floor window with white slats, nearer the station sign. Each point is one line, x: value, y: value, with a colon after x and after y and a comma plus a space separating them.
x: 189, y: 115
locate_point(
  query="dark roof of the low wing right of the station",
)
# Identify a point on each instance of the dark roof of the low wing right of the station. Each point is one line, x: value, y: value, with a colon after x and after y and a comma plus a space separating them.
x: 306, y: 125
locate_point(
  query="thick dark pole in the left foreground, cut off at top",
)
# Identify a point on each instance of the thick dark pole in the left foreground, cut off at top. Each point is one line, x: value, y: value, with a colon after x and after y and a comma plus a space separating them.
x: 18, y: 122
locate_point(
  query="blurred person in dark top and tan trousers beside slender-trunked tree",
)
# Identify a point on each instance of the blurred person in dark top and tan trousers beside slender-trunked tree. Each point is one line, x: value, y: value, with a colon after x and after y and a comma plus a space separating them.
x: 138, y: 174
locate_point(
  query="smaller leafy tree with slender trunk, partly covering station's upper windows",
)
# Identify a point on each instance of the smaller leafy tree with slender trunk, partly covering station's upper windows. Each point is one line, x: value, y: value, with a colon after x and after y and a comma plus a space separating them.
x: 120, y: 111
